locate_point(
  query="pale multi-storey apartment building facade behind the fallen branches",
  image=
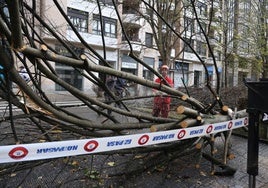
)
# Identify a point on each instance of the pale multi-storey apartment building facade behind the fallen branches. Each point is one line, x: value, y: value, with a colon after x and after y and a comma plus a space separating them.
x: 99, y: 26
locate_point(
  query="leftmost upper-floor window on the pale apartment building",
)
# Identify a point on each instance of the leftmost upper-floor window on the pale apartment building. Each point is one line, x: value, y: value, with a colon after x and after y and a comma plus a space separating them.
x: 79, y: 19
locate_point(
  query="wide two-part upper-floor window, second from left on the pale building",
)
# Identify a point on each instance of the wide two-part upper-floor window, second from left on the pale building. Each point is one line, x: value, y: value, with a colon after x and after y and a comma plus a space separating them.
x: 109, y: 26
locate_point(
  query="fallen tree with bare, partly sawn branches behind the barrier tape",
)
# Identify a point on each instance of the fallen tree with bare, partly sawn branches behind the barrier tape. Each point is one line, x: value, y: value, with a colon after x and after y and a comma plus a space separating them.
x: 17, y: 42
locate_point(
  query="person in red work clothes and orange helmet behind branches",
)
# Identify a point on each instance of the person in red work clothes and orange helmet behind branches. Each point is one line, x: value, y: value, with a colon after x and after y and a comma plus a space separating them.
x: 161, y: 106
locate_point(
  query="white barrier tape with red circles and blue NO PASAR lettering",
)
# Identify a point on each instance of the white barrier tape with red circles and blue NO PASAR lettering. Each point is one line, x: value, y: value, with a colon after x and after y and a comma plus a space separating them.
x: 48, y: 150
